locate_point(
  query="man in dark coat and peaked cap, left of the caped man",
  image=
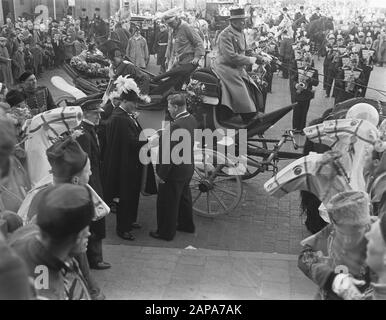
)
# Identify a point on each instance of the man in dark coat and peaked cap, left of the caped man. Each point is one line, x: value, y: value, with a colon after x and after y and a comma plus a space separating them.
x: 90, y: 144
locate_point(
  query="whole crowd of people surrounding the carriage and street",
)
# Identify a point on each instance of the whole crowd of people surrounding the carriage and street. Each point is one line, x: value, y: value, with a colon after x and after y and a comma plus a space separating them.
x: 93, y: 161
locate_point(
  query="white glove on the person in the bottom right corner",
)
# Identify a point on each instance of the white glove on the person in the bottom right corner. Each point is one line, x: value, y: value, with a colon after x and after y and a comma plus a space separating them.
x: 344, y: 285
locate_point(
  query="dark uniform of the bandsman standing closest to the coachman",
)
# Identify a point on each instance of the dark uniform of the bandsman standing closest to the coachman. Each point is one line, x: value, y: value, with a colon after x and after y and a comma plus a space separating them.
x: 308, y: 76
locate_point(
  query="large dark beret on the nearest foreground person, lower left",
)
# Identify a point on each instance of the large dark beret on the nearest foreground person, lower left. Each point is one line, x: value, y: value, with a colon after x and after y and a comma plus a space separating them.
x: 64, y: 209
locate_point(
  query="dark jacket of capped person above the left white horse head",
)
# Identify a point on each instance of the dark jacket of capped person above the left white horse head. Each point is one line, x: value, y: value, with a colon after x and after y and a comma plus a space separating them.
x: 39, y: 100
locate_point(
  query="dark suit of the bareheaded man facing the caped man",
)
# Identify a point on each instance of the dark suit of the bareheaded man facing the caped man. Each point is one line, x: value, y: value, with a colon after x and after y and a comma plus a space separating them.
x: 174, y: 201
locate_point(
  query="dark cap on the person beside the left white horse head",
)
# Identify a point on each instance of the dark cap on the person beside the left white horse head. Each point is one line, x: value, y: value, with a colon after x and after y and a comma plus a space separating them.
x: 66, y: 157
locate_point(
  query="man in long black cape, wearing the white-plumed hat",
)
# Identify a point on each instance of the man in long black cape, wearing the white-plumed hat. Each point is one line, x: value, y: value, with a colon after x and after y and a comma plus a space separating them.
x: 122, y: 169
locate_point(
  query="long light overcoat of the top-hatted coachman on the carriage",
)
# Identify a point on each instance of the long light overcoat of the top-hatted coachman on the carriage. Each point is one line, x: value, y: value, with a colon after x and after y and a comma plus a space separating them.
x: 229, y: 66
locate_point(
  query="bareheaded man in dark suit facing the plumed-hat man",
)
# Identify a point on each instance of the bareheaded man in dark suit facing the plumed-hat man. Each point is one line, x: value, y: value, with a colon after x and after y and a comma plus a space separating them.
x: 174, y: 201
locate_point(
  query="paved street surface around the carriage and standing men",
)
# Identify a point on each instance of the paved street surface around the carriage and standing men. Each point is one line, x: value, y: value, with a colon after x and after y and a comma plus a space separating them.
x: 249, y: 254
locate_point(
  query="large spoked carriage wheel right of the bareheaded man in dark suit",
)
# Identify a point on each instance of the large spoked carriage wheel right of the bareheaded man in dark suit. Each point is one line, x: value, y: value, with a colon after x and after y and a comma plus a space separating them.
x: 216, y: 185
